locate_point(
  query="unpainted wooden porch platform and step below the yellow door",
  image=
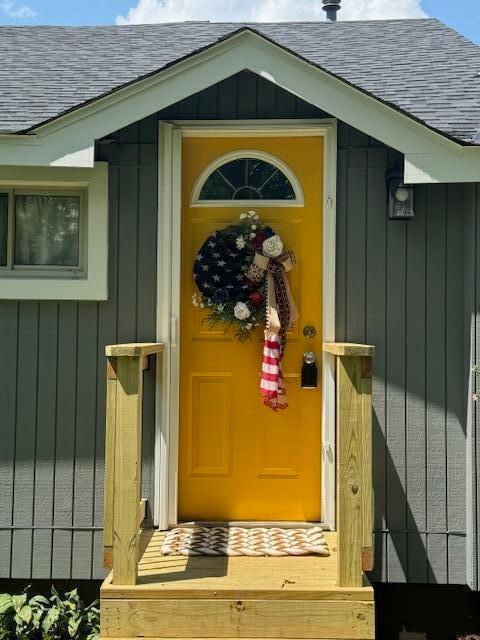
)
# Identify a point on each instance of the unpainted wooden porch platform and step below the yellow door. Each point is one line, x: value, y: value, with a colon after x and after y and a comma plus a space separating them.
x: 236, y: 597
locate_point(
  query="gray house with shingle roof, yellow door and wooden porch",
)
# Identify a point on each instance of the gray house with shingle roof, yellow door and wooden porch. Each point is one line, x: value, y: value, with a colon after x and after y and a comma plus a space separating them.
x: 112, y: 143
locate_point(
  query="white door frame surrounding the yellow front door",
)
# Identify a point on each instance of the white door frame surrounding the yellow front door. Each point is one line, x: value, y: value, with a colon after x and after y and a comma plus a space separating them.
x: 168, y: 295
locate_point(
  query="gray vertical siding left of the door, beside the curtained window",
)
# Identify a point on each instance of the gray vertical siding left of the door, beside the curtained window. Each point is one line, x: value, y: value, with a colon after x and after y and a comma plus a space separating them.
x: 52, y: 386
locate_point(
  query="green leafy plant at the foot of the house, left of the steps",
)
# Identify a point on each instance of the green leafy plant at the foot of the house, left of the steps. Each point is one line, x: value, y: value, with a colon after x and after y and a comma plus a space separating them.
x: 56, y: 618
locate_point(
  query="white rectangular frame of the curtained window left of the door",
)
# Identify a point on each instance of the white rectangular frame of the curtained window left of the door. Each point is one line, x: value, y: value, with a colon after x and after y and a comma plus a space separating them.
x: 88, y: 281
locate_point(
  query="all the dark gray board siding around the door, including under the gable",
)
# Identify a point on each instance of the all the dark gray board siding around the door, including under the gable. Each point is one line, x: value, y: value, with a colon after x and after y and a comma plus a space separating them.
x: 405, y: 287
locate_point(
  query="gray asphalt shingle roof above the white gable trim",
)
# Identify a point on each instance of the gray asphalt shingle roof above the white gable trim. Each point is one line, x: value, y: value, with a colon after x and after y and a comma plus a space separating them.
x: 419, y: 66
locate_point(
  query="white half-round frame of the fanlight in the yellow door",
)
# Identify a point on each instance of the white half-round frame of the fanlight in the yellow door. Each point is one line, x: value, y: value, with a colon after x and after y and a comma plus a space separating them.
x: 240, y: 154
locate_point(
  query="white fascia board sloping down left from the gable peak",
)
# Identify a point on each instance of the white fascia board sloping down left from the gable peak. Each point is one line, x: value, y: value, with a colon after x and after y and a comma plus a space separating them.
x: 70, y: 140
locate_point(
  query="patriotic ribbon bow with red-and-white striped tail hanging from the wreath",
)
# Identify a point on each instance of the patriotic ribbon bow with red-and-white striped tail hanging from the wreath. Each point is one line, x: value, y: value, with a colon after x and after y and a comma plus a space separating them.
x: 281, y: 313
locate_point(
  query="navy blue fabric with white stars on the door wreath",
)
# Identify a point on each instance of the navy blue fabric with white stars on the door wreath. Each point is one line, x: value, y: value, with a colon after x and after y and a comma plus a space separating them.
x: 219, y: 268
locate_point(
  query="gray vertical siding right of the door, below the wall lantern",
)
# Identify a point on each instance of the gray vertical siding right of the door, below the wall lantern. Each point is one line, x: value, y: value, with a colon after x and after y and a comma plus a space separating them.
x: 400, y: 286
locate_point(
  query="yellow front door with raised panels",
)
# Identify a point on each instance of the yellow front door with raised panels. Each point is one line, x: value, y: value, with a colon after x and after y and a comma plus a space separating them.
x: 239, y: 460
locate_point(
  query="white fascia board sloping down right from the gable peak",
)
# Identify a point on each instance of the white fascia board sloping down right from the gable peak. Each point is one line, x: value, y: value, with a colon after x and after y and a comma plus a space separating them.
x: 429, y: 156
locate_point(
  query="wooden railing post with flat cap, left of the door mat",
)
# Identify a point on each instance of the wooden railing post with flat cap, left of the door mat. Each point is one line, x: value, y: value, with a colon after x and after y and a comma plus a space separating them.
x: 123, y: 458
